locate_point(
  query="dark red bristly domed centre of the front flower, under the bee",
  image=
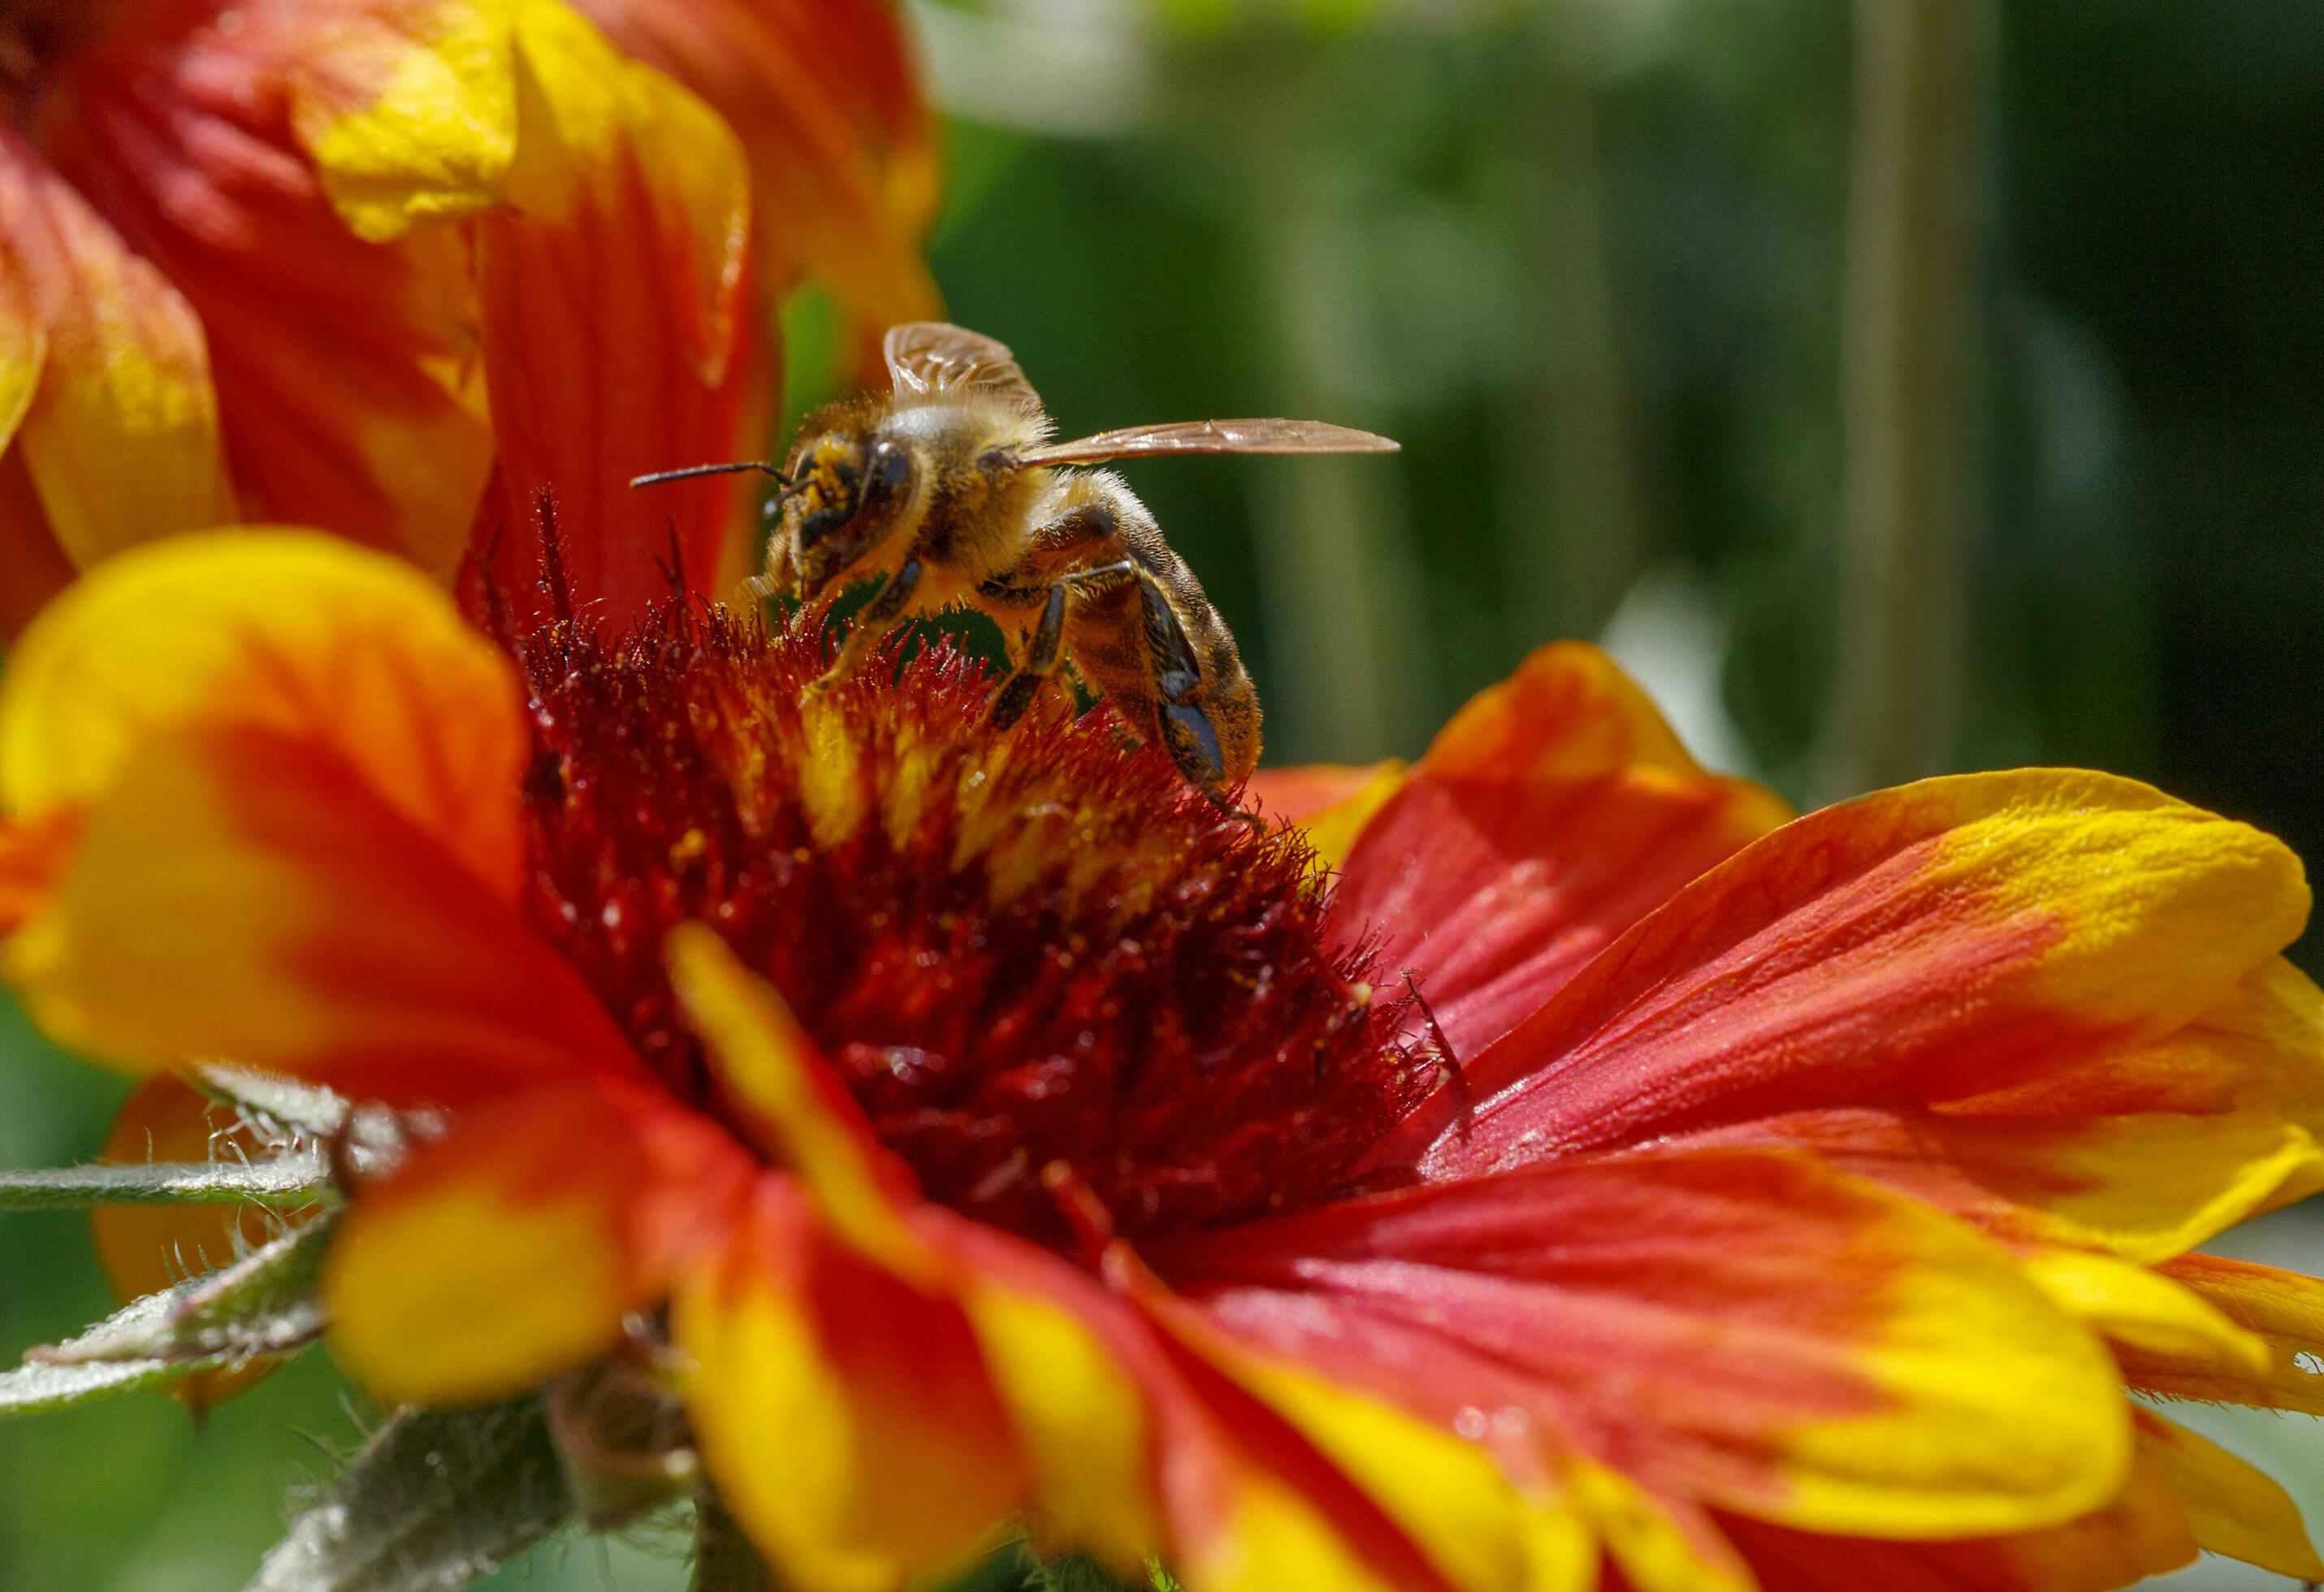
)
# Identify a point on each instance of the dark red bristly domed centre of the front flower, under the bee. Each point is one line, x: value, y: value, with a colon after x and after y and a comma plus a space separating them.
x: 1019, y: 947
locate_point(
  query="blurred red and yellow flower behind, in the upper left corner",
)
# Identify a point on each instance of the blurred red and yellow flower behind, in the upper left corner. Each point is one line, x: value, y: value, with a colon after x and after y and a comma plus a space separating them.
x: 389, y: 266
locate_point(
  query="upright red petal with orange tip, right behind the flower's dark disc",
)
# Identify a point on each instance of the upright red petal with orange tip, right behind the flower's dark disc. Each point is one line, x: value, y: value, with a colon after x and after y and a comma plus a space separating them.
x: 1549, y: 817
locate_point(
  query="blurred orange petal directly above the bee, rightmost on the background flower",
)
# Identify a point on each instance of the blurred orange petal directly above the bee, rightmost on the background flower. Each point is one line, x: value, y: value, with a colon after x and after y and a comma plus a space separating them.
x: 829, y: 106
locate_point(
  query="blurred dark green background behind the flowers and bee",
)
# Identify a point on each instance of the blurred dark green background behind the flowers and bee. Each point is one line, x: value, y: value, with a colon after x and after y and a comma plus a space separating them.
x: 1893, y: 396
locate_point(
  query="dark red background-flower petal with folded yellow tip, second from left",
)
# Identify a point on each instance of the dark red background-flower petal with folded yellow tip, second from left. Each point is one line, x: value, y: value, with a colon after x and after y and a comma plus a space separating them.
x: 345, y: 368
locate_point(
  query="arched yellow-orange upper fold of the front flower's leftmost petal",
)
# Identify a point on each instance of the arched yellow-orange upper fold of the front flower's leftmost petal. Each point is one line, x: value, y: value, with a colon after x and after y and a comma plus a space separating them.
x: 282, y: 631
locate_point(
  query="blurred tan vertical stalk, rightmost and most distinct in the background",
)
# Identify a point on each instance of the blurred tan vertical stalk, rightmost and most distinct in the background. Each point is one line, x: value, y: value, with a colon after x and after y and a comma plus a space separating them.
x: 1907, y: 327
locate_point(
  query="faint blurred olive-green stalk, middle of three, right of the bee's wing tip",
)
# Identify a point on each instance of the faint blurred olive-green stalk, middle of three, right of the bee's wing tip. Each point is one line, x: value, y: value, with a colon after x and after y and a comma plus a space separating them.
x: 1572, y: 529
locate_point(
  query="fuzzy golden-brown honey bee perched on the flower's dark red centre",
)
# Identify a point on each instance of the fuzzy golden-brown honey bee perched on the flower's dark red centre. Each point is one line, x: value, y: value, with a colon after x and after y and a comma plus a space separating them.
x: 952, y: 492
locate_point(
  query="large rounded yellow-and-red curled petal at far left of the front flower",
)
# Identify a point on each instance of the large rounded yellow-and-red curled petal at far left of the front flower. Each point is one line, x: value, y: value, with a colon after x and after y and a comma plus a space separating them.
x: 285, y: 780
